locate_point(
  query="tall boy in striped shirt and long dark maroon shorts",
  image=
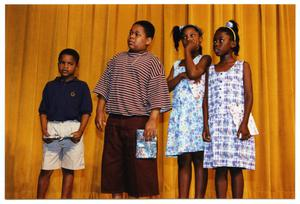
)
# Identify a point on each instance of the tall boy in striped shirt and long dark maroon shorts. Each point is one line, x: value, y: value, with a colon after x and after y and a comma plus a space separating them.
x: 134, y: 91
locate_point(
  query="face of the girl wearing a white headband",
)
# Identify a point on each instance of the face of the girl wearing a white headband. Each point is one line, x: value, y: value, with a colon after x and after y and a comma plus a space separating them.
x: 222, y: 43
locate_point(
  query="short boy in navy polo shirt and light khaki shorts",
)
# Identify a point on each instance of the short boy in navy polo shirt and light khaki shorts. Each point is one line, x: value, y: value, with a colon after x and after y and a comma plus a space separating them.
x: 64, y: 113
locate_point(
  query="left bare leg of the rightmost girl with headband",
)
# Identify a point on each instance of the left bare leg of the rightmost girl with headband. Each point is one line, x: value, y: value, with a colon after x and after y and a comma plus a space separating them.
x: 221, y: 182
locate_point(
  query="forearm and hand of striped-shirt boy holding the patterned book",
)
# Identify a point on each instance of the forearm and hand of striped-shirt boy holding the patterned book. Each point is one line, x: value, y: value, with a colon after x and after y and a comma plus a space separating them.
x: 152, y: 123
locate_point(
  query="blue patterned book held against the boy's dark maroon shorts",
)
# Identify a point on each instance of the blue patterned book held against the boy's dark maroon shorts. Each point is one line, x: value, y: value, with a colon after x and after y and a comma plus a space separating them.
x: 145, y: 149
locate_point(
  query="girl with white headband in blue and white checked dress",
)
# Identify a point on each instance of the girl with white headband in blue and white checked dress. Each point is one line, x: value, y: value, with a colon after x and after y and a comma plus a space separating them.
x: 228, y: 145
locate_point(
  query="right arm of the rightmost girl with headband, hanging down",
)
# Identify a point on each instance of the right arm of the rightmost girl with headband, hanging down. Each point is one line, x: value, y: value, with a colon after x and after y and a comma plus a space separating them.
x: 248, y: 102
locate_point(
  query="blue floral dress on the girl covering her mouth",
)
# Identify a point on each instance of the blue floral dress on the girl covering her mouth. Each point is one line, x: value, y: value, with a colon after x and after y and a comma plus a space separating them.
x: 186, y: 119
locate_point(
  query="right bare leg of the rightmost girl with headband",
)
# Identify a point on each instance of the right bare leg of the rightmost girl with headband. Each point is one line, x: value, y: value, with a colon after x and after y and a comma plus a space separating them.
x: 237, y: 182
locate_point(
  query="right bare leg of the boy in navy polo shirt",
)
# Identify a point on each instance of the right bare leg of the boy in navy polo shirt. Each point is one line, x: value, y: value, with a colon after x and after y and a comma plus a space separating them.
x: 67, y: 185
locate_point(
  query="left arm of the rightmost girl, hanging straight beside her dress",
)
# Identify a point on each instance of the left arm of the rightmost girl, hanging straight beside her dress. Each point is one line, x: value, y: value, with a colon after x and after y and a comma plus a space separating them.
x: 205, y: 133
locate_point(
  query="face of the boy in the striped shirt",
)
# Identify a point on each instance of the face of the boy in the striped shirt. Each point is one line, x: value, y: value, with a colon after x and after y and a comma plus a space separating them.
x: 137, y: 40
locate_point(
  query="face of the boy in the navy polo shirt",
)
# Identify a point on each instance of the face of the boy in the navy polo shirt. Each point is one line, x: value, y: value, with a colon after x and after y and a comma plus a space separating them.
x: 67, y: 66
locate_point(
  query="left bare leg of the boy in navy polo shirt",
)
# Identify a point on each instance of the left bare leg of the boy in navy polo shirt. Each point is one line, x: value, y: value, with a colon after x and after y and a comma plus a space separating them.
x: 43, y: 183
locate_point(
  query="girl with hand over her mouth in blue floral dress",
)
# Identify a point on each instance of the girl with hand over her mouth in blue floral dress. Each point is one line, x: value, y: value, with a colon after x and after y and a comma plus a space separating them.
x: 187, y: 79
